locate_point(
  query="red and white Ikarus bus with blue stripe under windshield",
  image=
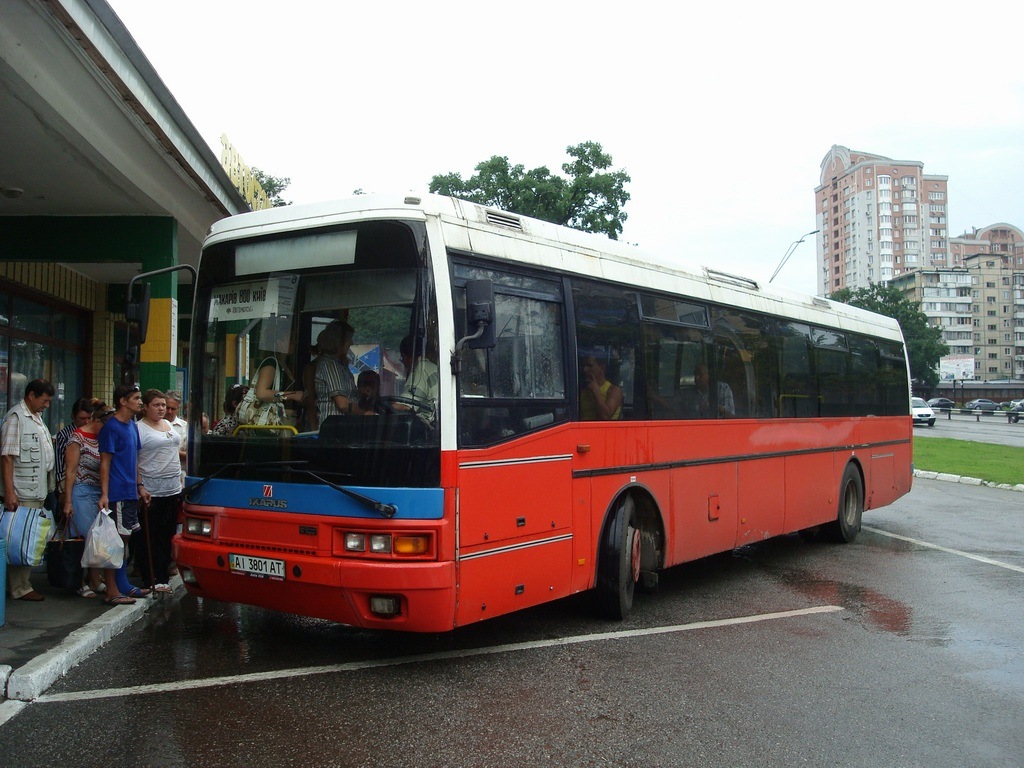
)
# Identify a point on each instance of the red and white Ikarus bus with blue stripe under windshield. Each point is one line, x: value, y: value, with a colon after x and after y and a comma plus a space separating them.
x: 741, y: 415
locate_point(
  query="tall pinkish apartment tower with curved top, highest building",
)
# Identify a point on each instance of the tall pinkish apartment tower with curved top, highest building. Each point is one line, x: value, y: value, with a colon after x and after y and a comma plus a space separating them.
x: 879, y: 218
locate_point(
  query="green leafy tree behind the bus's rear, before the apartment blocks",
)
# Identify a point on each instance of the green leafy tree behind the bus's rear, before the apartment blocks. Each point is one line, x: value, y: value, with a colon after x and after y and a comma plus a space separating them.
x: 924, y: 343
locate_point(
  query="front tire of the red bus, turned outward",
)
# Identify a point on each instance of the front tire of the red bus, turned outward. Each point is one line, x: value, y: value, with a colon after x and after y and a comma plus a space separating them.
x: 619, y: 563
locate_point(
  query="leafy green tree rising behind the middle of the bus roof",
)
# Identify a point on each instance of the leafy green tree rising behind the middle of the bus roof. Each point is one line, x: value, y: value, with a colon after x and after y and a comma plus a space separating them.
x: 590, y: 199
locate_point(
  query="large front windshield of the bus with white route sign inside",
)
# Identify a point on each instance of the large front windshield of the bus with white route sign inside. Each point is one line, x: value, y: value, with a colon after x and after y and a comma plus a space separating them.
x: 320, y: 357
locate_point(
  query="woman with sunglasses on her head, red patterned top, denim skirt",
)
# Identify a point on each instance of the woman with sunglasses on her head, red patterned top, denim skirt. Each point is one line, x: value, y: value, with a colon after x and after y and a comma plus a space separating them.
x: 82, y: 489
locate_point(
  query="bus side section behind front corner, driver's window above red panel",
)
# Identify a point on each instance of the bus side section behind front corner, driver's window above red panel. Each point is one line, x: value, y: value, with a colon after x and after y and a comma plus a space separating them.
x: 515, y: 477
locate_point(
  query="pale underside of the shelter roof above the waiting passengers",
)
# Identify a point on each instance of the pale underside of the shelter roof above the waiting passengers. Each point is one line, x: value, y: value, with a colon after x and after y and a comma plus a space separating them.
x: 70, y: 145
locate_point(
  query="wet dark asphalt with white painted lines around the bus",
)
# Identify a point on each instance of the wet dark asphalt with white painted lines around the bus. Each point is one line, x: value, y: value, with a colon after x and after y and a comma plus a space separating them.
x: 902, y: 650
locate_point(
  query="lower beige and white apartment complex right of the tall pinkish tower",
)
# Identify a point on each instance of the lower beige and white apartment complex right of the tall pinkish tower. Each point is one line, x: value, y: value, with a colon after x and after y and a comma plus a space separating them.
x: 980, y: 305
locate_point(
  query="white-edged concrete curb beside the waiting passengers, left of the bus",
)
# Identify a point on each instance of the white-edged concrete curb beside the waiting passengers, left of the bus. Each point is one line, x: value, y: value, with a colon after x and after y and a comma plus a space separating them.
x: 29, y: 681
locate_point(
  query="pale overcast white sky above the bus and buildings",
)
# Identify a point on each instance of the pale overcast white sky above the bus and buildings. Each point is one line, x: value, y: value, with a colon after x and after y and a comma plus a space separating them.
x: 721, y: 113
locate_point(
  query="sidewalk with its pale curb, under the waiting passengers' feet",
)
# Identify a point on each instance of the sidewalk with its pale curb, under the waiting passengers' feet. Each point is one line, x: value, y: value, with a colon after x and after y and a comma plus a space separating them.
x: 40, y: 643
